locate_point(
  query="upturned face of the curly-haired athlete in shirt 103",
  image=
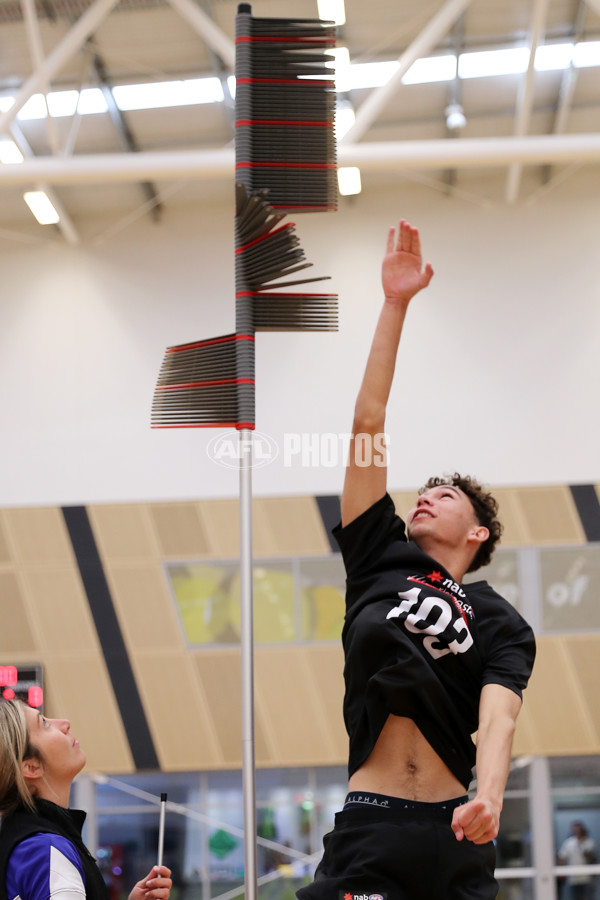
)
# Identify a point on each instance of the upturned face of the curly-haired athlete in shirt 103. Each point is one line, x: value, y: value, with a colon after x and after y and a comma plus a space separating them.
x: 443, y: 514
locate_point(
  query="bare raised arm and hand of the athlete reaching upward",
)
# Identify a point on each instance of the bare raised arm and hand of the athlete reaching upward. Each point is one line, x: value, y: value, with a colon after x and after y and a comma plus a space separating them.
x: 402, y: 277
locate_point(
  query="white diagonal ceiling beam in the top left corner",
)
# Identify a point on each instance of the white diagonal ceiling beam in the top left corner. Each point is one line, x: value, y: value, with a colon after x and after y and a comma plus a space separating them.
x: 60, y: 56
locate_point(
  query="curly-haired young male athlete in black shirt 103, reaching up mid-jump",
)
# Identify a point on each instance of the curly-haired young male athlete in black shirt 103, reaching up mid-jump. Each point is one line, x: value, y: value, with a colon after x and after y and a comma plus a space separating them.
x: 429, y: 661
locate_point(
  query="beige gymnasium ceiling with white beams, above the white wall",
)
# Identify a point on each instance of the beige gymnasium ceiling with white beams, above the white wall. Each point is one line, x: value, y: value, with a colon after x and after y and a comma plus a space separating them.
x: 152, y: 40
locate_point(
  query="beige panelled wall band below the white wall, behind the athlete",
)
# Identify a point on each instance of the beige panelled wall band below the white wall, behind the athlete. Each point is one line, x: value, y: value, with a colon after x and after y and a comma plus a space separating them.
x: 191, y: 698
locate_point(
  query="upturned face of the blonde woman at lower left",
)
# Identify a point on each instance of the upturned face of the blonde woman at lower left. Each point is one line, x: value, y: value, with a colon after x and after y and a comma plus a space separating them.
x: 62, y: 757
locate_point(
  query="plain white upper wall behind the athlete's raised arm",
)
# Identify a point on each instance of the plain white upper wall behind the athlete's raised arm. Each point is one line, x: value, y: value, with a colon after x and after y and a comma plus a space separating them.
x: 498, y: 371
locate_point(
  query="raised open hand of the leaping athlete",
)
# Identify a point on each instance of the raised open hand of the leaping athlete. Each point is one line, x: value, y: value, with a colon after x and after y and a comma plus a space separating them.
x: 402, y: 272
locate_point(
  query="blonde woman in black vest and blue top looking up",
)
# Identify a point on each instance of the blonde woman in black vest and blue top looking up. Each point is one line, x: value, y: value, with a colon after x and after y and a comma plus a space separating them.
x: 42, y: 854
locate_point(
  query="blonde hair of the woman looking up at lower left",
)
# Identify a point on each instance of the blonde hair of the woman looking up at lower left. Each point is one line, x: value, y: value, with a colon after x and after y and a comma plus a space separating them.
x: 14, y: 748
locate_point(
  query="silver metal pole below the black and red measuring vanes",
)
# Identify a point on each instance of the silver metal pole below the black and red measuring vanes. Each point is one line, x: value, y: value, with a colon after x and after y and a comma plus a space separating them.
x: 247, y: 644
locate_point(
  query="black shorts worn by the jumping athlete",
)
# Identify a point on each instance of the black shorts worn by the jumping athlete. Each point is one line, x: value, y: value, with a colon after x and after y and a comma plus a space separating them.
x: 401, y: 850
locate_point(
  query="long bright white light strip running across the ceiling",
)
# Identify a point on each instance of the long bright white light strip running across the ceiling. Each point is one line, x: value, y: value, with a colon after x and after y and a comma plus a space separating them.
x: 358, y: 76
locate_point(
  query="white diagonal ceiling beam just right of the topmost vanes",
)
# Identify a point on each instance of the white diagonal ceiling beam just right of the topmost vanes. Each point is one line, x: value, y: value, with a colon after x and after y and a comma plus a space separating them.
x: 379, y: 99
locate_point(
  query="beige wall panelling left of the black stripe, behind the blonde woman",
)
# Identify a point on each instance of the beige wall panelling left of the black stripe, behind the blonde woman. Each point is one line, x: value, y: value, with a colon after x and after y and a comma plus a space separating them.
x: 51, y: 624
